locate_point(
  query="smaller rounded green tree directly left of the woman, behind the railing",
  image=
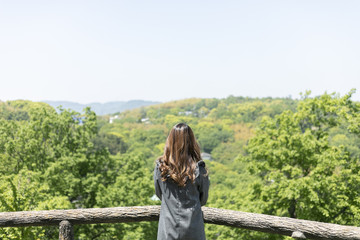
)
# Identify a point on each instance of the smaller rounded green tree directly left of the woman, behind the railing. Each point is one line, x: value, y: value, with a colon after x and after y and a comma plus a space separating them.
x: 132, y: 186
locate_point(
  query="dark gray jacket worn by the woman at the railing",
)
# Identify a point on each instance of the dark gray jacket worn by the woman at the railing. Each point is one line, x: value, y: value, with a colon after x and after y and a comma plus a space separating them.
x: 180, y: 215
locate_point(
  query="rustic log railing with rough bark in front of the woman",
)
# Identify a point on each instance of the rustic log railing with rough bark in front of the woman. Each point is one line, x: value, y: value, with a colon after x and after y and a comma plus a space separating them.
x: 296, y: 228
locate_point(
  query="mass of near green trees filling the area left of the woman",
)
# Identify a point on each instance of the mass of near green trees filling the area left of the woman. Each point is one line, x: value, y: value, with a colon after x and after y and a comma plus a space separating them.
x: 49, y: 161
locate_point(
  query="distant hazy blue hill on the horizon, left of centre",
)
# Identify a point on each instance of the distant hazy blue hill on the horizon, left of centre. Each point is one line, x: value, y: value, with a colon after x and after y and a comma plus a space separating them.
x: 102, y: 108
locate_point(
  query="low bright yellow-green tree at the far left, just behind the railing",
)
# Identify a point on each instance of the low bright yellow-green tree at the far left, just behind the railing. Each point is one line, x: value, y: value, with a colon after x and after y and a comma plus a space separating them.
x: 26, y: 190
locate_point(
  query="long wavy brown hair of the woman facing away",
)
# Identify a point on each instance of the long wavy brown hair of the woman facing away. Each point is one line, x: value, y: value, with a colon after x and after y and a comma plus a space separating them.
x: 181, y: 154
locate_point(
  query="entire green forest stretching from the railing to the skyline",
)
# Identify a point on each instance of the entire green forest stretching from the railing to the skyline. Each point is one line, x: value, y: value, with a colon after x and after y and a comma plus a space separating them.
x: 297, y: 158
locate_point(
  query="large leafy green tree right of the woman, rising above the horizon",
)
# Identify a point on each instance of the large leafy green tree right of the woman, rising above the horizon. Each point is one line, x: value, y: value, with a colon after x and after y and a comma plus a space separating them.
x: 303, y: 175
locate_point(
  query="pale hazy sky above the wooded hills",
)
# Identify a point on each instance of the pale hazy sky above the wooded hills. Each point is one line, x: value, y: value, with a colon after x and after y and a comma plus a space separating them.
x: 98, y: 51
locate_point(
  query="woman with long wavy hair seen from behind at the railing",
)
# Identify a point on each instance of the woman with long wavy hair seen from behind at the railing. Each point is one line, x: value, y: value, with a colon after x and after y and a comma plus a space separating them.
x: 182, y: 184
